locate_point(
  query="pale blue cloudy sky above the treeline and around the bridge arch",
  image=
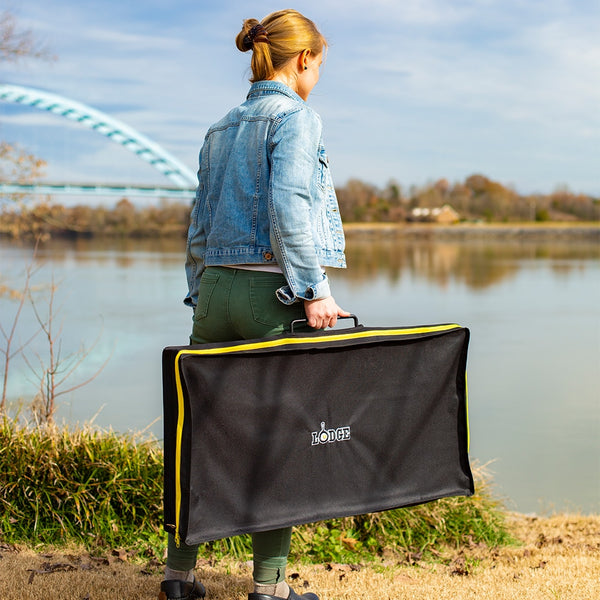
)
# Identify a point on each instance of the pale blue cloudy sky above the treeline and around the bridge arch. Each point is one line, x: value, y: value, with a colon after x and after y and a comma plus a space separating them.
x: 411, y: 91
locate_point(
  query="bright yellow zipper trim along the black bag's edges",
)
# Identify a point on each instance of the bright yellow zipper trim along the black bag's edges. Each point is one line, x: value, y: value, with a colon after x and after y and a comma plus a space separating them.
x: 270, y: 344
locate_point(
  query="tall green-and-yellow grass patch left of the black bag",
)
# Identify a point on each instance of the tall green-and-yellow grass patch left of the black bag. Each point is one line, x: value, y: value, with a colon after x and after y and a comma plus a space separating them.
x: 98, y: 488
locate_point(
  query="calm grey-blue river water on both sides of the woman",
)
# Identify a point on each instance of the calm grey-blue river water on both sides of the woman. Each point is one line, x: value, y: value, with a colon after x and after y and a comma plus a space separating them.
x: 533, y: 308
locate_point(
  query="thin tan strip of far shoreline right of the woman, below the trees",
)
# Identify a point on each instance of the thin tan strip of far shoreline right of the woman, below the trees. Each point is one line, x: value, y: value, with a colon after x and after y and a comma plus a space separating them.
x: 512, y: 231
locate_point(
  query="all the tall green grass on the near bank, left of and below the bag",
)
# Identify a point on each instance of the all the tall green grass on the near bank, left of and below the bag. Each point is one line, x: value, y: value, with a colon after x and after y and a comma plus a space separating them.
x: 103, y: 490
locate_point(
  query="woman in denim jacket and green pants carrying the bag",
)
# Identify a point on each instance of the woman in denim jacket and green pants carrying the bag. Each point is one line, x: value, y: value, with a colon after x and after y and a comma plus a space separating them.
x: 264, y: 225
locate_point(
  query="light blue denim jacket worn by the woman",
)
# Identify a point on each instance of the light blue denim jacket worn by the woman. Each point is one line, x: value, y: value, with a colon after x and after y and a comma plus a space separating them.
x: 265, y: 195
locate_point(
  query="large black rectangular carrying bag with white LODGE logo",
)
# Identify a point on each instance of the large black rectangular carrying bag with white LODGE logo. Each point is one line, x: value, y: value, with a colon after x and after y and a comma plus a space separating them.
x: 263, y: 434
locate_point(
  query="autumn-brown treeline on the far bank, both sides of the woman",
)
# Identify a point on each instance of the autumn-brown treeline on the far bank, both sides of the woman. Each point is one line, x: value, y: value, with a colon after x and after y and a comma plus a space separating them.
x: 477, y: 199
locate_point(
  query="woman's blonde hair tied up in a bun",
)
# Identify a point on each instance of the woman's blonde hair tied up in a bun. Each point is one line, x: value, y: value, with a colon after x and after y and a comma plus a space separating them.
x: 276, y: 39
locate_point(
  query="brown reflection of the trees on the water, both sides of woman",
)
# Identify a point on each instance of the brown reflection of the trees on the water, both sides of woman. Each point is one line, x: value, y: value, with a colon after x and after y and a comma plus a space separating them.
x: 477, y: 263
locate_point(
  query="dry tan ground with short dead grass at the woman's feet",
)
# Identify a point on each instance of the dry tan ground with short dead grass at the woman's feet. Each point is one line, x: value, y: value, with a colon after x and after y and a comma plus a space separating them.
x: 558, y: 559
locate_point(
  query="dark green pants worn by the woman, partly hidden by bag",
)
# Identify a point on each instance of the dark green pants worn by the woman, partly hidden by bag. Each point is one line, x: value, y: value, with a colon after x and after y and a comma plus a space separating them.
x: 237, y: 304
